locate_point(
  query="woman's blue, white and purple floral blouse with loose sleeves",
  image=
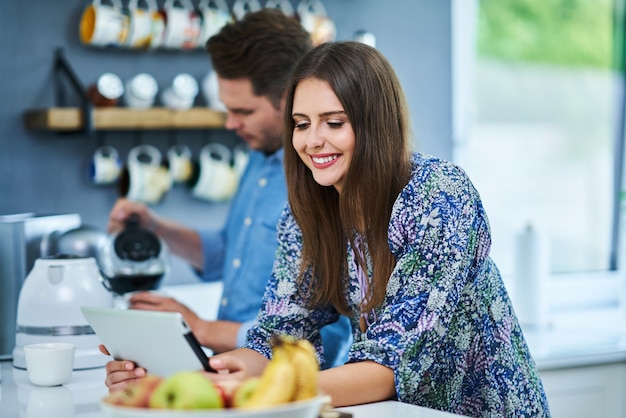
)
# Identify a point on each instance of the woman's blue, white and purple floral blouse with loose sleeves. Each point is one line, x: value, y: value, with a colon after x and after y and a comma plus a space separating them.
x: 447, y: 327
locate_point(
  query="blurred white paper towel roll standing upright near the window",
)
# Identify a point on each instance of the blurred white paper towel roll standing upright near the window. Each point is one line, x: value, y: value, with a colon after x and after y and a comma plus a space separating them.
x: 530, y: 277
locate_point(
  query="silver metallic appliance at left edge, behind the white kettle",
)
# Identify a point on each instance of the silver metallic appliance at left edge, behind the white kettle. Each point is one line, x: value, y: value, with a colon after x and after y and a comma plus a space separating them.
x: 22, y: 236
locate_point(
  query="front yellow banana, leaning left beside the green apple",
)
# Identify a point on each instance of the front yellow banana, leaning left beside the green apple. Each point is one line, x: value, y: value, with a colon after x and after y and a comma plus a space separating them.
x: 277, y: 383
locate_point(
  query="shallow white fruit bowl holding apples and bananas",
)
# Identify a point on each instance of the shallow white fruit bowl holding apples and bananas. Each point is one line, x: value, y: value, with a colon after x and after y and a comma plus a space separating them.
x: 309, y: 408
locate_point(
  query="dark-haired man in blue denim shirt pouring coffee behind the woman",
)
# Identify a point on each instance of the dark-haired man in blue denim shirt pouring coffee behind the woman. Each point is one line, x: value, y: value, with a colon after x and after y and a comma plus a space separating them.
x: 252, y: 59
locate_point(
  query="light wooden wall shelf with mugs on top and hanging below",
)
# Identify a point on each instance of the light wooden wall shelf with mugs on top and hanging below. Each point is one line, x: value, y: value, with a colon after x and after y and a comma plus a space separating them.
x: 119, y: 118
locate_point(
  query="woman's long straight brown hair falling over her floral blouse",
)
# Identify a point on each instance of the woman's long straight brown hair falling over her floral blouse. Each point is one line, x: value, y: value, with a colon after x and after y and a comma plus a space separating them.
x: 372, y: 97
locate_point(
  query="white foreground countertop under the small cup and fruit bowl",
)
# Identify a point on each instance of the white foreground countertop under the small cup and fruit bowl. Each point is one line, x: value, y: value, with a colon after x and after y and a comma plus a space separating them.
x: 80, y: 397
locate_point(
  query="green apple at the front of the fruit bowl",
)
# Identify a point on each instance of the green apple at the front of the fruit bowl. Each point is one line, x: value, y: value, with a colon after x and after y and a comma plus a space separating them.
x: 186, y: 390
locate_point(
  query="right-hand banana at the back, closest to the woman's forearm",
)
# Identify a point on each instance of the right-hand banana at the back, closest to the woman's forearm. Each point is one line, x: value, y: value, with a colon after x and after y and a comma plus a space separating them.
x: 304, y: 359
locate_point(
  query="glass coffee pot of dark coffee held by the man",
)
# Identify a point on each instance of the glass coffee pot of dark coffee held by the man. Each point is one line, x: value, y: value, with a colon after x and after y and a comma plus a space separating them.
x: 133, y: 259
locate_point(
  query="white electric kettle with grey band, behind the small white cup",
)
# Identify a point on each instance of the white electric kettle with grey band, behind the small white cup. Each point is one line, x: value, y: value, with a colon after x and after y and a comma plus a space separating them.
x: 48, y: 308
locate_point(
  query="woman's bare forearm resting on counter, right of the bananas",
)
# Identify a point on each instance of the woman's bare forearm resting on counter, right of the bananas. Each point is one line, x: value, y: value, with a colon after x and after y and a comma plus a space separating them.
x: 357, y: 383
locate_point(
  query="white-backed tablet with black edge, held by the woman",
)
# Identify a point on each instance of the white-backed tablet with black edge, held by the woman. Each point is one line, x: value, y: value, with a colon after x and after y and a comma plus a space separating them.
x: 160, y: 342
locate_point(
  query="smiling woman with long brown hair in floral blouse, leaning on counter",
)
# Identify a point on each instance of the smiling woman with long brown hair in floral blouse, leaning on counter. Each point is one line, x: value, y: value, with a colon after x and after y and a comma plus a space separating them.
x: 397, y: 241
